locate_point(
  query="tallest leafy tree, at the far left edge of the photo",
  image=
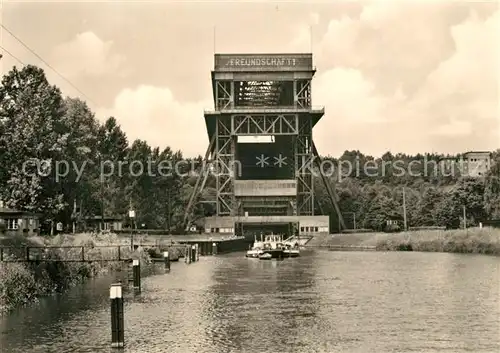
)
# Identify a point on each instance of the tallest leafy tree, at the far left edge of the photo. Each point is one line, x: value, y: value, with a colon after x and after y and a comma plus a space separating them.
x: 33, y: 130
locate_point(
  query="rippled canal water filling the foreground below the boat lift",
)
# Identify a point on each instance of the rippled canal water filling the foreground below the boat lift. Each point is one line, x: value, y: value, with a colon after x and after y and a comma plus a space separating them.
x: 321, y: 302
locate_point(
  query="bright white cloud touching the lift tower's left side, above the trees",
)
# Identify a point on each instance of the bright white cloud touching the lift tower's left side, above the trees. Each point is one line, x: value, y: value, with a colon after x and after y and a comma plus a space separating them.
x: 153, y: 114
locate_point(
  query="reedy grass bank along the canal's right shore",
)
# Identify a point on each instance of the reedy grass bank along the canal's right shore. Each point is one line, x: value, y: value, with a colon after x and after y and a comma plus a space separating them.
x: 473, y: 241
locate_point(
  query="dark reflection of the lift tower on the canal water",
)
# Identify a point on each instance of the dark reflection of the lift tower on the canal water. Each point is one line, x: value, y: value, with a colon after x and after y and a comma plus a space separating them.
x: 260, y: 304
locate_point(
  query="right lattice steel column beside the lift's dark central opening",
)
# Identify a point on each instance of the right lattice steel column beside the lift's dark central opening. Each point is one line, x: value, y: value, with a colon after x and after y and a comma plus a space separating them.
x: 303, y: 165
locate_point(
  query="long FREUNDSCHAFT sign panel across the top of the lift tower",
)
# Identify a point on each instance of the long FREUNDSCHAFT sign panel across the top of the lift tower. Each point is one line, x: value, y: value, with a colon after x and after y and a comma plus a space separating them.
x: 256, y: 62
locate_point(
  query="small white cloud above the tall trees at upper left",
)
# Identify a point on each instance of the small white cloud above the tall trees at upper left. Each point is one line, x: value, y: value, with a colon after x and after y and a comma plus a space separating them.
x: 87, y: 54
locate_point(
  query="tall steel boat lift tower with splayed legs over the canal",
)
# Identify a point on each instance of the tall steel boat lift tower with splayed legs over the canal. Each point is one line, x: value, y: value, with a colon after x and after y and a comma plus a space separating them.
x: 263, y: 96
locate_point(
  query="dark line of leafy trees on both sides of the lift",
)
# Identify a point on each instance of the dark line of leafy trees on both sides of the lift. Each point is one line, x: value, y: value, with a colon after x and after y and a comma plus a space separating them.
x: 39, y: 125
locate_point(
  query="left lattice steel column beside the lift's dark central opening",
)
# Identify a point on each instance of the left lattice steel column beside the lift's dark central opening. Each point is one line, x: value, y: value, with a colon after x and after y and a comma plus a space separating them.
x: 225, y: 167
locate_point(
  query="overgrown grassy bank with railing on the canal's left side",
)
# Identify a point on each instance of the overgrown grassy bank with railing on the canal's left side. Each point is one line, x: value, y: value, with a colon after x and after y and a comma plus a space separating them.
x: 24, y: 283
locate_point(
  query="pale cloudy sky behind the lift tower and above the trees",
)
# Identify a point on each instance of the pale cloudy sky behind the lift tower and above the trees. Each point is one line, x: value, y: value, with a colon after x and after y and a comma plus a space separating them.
x: 393, y: 76
